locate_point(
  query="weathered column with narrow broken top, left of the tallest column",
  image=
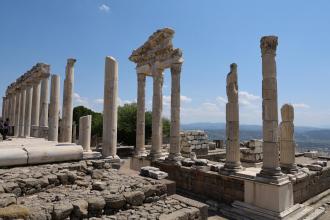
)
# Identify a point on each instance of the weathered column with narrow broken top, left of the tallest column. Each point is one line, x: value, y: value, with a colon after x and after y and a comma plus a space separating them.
x: 233, y: 163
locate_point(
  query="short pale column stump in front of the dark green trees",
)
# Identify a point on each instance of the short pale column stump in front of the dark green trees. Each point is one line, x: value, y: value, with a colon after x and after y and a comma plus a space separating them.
x: 85, y: 124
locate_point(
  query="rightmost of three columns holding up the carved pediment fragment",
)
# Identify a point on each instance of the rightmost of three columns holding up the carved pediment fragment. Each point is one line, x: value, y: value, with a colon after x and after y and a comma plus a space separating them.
x: 175, y: 112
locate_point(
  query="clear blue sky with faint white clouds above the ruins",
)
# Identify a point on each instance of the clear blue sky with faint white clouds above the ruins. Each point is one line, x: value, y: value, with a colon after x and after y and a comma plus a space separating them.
x: 212, y: 34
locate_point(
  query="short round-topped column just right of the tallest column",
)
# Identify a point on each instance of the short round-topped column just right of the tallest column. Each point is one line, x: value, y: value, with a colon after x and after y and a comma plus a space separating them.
x: 287, y: 143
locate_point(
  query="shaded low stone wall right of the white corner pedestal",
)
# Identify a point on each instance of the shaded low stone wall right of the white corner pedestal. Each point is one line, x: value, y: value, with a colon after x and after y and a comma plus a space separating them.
x: 314, y: 183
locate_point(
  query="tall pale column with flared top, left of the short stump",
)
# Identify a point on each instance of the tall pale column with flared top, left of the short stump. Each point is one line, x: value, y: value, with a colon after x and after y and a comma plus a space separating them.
x: 67, y: 110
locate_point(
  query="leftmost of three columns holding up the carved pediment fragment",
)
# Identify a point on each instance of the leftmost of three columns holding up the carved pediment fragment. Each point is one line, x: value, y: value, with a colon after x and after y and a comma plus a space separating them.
x: 140, y: 116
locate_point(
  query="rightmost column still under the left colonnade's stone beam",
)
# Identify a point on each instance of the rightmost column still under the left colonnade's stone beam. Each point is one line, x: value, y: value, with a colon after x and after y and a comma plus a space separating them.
x: 43, y: 117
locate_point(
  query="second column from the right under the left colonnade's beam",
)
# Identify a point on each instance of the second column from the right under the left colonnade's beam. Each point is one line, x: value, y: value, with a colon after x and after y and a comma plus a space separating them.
x: 35, y: 109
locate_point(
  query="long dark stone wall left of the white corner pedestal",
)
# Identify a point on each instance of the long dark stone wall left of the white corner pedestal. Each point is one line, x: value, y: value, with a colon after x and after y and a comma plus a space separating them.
x: 207, y: 184
